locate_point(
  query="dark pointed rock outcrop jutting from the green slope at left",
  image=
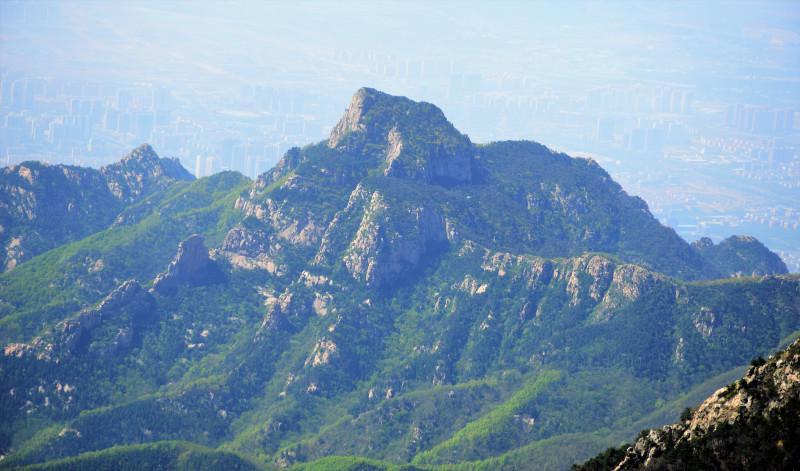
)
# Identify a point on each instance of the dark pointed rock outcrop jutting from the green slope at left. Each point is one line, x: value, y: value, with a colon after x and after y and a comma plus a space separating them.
x: 191, y: 266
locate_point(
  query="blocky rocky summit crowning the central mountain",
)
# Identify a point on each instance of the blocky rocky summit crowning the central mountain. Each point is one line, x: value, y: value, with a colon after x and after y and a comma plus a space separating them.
x: 419, y: 142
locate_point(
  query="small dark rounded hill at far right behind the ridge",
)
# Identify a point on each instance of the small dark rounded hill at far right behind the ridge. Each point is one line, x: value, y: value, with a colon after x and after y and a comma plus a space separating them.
x: 740, y: 256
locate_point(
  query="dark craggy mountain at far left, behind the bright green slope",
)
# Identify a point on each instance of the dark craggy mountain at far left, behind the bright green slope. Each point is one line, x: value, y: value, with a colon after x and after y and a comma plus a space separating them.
x: 43, y: 206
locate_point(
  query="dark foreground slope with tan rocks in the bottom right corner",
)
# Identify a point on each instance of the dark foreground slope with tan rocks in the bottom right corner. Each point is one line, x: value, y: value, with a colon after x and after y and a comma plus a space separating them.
x: 752, y: 423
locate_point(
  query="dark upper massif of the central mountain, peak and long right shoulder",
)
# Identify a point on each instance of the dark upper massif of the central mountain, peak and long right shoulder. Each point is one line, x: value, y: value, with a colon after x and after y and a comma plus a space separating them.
x: 404, y: 160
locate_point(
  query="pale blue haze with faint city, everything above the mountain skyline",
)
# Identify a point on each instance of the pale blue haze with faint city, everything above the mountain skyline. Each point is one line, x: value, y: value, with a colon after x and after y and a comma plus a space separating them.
x: 695, y: 106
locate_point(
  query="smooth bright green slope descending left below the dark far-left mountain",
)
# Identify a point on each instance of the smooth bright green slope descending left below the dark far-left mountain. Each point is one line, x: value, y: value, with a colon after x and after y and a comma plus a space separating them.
x: 81, y: 272
